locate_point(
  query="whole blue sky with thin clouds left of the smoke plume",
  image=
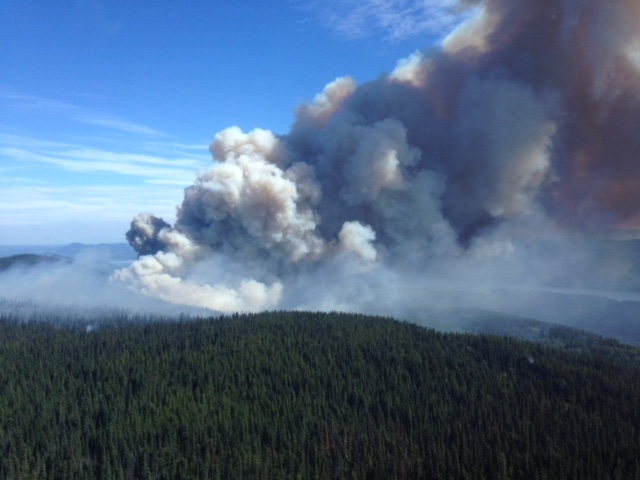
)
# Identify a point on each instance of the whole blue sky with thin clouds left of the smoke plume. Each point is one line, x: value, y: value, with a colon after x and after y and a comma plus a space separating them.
x: 107, y: 107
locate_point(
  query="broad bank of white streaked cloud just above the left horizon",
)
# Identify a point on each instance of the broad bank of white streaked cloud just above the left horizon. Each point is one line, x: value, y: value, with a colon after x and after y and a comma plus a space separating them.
x: 72, y: 190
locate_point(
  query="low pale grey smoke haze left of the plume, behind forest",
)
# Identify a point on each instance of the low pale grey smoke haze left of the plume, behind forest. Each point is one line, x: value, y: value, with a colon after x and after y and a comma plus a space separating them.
x: 71, y: 288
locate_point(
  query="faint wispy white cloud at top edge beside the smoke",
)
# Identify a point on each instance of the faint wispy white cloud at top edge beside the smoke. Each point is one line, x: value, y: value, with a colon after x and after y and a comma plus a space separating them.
x: 396, y: 20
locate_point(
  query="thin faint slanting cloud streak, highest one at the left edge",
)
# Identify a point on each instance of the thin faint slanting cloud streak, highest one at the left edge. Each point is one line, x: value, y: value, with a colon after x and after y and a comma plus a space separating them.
x: 49, y: 106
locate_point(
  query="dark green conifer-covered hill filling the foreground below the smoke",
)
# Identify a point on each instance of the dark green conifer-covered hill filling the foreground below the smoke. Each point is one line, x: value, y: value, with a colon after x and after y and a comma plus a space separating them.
x: 307, y: 395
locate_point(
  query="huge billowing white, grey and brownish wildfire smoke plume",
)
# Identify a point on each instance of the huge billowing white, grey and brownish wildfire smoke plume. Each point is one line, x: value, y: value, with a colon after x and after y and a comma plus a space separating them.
x: 494, y: 161
